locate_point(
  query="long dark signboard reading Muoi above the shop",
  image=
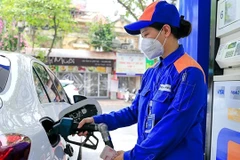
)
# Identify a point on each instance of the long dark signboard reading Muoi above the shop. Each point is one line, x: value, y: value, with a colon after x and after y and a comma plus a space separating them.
x: 81, y: 62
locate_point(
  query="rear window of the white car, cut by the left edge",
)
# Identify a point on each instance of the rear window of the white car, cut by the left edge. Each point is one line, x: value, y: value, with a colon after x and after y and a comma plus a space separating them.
x: 4, y: 72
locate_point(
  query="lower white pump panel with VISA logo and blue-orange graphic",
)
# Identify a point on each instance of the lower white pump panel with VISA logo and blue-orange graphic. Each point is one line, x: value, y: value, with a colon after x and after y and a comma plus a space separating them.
x: 226, y: 121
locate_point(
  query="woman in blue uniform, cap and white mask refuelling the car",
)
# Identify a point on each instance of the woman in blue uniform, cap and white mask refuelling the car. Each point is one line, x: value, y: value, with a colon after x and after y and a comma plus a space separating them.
x: 169, y: 107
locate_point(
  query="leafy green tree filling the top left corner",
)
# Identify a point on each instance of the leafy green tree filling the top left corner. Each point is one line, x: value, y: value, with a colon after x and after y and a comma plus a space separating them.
x: 55, y: 14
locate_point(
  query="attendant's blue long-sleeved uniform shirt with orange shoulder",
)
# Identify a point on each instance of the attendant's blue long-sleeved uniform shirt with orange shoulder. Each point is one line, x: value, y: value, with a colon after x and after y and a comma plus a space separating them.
x: 177, y: 89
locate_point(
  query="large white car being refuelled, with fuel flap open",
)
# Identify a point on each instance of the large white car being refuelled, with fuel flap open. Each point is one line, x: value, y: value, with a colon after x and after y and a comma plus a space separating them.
x: 32, y: 101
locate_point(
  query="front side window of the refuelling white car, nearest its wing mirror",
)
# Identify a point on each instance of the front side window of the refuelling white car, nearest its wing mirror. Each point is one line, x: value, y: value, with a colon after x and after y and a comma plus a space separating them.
x: 47, y: 82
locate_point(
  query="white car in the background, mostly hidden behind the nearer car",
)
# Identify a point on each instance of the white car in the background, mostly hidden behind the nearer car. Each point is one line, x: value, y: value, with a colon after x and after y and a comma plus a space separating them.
x: 70, y: 89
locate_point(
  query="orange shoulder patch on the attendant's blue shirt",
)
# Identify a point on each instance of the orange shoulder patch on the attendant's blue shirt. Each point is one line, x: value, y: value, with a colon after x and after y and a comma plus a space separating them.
x: 186, y: 61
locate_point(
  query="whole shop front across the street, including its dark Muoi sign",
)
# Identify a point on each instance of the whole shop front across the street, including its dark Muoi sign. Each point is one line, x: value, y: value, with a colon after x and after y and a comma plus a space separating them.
x: 90, y: 72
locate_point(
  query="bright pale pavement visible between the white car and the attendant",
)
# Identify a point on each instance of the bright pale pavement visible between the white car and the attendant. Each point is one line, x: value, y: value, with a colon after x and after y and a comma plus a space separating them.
x: 123, y: 139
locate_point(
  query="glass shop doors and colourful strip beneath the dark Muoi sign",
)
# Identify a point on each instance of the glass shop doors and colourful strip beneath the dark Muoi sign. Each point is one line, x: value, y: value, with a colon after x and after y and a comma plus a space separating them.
x: 91, y: 81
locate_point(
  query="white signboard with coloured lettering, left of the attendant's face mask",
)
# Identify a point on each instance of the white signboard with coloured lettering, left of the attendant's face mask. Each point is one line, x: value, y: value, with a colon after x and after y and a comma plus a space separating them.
x: 130, y: 64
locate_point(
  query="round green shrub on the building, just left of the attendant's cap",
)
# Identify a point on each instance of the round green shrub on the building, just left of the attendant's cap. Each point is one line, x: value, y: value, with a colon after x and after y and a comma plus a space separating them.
x: 101, y: 35
